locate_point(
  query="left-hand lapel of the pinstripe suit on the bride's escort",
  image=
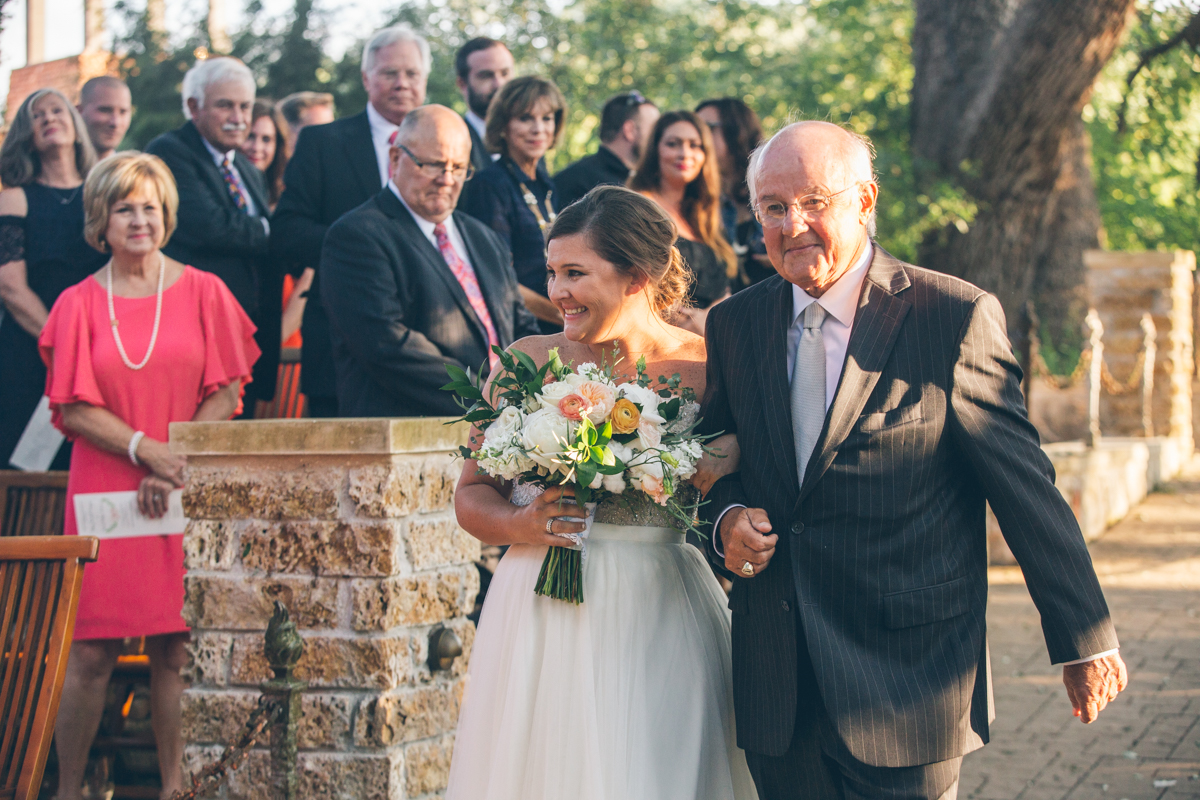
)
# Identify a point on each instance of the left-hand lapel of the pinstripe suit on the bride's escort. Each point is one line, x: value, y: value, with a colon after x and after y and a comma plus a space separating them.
x: 773, y: 318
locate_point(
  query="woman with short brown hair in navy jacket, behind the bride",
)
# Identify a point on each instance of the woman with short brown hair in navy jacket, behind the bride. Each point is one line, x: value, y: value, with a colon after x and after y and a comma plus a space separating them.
x: 514, y: 197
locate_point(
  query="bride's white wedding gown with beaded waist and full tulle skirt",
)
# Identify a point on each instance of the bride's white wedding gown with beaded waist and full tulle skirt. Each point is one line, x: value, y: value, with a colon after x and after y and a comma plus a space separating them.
x: 625, y: 697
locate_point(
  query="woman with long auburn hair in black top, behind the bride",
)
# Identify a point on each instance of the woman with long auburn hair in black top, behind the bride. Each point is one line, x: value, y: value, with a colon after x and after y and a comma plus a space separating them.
x: 680, y: 172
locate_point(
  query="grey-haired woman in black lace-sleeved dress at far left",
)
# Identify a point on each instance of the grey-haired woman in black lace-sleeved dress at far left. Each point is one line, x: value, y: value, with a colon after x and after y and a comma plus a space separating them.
x: 43, y: 251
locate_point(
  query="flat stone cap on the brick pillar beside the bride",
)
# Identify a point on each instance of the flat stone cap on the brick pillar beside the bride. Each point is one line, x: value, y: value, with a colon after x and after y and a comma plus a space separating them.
x: 317, y: 437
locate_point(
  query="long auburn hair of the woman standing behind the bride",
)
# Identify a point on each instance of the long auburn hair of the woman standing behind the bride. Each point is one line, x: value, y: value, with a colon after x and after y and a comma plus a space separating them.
x: 701, y: 199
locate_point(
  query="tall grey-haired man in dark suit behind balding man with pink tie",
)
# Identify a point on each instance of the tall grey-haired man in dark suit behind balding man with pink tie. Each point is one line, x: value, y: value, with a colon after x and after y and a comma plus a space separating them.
x: 335, y: 169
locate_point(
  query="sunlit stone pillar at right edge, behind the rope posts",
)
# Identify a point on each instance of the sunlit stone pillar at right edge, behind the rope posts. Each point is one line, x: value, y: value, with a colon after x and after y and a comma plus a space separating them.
x: 1123, y: 287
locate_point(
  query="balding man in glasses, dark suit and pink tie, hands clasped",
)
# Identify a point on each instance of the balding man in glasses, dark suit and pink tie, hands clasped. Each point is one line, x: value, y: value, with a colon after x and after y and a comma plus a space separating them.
x: 412, y: 286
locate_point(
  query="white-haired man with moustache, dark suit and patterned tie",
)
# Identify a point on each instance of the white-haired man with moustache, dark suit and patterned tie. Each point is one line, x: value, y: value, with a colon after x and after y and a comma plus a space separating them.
x: 223, y: 203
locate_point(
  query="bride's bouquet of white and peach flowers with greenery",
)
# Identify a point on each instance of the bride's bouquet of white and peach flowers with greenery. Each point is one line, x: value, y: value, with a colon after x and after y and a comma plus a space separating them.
x: 559, y: 426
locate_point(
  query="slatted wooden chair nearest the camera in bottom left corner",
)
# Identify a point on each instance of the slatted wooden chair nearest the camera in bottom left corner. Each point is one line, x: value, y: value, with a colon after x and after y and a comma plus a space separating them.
x: 40, y: 580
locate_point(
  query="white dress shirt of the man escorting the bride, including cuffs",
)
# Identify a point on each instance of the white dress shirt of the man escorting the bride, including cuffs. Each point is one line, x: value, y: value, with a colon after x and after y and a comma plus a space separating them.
x: 841, y: 302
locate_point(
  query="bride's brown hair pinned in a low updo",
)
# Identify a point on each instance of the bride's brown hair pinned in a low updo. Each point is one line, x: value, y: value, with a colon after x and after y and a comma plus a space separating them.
x: 634, y: 234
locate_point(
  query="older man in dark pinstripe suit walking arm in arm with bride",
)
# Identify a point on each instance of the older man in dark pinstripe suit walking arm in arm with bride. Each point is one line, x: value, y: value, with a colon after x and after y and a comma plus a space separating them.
x: 878, y: 407
